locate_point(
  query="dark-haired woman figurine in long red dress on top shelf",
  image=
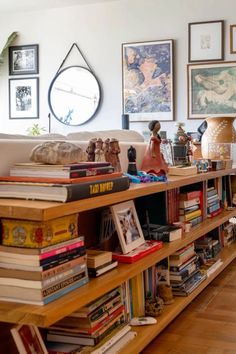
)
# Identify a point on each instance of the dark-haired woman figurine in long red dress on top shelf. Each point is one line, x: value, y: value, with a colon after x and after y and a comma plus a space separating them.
x: 153, y: 160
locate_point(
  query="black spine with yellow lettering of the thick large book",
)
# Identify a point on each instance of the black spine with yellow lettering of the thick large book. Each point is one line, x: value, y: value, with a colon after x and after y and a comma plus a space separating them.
x: 96, y: 188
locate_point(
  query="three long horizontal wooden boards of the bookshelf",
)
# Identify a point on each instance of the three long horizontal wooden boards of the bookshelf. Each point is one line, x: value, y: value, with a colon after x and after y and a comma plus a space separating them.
x: 44, y: 316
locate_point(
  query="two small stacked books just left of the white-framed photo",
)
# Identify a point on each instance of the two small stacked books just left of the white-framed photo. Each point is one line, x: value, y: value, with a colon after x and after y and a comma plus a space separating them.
x: 99, y: 262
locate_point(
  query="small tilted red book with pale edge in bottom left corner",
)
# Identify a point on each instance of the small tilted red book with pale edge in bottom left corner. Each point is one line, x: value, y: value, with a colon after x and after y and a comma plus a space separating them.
x: 28, y: 339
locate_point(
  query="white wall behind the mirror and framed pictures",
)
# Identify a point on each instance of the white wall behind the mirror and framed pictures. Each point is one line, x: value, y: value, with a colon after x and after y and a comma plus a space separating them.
x: 99, y: 30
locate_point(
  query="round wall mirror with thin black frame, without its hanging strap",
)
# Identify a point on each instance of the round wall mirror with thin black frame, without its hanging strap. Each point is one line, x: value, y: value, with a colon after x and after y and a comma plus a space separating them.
x: 74, y: 95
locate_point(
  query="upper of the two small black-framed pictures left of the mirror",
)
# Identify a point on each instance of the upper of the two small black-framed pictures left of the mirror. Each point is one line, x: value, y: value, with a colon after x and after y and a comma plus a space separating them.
x: 24, y: 60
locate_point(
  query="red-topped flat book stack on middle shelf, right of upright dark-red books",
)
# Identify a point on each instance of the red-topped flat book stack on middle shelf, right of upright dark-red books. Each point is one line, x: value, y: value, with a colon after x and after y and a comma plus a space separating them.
x: 190, y: 209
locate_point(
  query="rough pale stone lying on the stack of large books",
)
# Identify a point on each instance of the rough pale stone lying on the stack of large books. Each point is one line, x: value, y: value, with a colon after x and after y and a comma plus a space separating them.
x: 56, y: 153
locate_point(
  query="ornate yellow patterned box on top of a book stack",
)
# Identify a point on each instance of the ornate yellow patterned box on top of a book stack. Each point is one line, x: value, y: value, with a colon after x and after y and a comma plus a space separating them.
x: 38, y: 234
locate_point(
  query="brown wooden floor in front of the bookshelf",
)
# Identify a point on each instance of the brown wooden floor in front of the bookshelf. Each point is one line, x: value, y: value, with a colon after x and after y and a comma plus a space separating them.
x: 207, y: 325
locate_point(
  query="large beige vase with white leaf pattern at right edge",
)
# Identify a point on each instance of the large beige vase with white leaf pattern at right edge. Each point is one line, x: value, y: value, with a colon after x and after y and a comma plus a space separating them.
x: 218, y: 137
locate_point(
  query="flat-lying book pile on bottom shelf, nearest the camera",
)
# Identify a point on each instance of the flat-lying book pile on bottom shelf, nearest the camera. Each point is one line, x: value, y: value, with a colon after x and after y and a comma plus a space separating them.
x: 97, y: 326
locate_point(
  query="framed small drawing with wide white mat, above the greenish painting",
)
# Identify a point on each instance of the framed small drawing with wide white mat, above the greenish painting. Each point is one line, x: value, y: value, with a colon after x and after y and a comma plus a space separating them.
x: 206, y: 41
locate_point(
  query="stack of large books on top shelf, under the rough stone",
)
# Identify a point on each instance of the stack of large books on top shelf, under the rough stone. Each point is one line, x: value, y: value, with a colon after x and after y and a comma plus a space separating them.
x: 62, y: 183
